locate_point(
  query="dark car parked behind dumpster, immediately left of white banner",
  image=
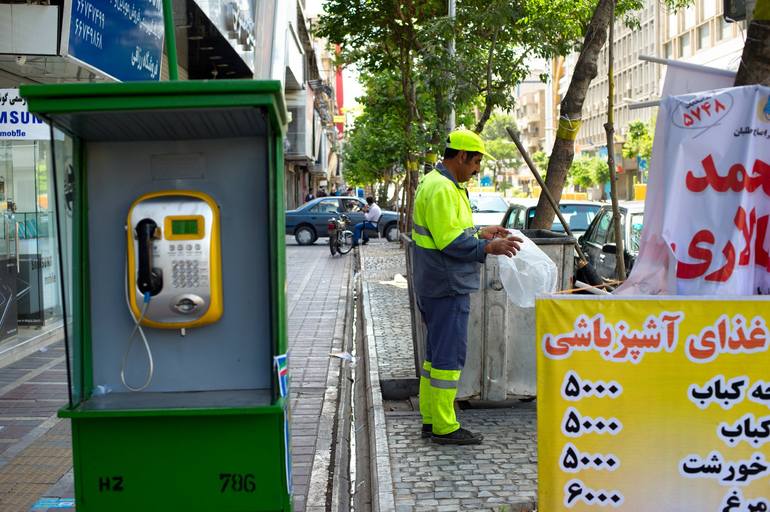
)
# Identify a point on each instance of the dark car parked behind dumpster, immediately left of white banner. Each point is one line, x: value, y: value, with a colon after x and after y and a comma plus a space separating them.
x: 598, y: 242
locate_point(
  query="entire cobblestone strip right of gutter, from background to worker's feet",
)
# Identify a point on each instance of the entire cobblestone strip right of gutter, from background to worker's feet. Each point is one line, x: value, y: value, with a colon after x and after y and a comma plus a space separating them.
x: 501, y: 474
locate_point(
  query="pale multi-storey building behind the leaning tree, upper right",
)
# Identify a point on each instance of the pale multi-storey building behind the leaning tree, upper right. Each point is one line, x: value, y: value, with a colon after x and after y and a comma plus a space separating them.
x: 698, y: 34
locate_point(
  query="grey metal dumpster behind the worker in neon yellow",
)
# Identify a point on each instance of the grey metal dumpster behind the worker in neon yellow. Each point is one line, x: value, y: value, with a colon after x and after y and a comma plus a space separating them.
x: 501, y: 361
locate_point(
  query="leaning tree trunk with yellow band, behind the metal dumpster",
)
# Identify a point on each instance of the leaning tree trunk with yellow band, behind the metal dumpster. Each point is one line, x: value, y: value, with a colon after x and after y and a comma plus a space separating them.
x: 571, y: 111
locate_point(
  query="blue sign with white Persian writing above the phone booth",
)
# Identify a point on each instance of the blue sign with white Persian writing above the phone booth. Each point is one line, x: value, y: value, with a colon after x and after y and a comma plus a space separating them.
x: 122, y: 39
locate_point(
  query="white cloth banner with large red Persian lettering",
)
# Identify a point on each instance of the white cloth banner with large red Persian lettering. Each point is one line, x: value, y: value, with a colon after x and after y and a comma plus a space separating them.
x: 708, y: 200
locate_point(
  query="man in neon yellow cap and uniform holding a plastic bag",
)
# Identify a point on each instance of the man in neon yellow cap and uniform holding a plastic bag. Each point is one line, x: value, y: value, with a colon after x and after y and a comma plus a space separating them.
x: 448, y: 254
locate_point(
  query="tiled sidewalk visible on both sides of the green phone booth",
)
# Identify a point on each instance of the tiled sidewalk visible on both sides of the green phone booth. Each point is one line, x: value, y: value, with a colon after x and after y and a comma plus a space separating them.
x: 35, y: 446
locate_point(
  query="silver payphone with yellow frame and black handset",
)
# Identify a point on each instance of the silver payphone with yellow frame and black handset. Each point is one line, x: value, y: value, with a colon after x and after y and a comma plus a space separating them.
x: 174, y: 271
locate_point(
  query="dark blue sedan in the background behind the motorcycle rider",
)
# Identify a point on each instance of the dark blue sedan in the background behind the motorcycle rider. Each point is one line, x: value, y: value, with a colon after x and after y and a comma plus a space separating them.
x: 309, y: 222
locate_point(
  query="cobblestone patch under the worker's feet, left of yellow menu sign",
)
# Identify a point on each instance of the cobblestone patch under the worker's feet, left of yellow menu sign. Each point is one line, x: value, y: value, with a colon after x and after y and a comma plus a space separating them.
x: 503, y: 470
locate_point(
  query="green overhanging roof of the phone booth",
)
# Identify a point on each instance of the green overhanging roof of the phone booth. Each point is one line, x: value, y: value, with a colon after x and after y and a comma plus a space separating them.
x: 161, y: 110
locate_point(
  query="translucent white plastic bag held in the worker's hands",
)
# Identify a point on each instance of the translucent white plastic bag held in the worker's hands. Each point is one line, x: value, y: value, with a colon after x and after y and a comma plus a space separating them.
x: 529, y: 273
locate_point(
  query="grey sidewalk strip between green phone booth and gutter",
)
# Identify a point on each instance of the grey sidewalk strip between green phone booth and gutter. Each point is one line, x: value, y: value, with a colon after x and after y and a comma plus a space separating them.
x: 317, y: 293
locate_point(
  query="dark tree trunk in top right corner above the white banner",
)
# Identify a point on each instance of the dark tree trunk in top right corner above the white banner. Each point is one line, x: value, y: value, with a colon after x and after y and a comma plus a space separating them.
x: 755, y: 62
